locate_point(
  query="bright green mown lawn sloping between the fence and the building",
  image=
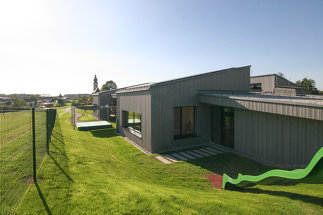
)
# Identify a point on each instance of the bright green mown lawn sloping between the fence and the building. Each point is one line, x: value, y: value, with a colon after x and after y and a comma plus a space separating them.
x: 99, y: 172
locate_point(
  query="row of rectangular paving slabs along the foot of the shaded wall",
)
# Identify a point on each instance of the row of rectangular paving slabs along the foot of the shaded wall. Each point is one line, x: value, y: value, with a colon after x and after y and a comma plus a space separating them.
x: 188, y: 155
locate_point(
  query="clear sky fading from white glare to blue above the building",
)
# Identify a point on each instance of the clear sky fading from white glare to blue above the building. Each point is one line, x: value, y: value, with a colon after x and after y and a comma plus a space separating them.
x: 52, y: 47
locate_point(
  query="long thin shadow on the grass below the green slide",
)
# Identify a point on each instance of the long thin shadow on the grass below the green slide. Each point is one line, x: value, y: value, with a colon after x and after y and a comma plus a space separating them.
x: 293, y: 196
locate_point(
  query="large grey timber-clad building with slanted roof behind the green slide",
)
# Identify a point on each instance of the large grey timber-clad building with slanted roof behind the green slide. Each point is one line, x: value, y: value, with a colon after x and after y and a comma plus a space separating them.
x: 218, y: 108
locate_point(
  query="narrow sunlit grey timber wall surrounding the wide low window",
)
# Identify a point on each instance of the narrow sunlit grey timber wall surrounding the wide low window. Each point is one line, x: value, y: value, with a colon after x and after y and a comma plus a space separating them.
x: 139, y: 102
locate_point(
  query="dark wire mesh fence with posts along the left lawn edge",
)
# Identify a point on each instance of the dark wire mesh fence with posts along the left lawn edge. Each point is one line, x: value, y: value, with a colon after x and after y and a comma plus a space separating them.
x: 24, y: 135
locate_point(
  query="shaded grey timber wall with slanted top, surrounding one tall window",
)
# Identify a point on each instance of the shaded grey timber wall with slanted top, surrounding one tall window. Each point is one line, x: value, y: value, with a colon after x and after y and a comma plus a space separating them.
x: 184, y: 93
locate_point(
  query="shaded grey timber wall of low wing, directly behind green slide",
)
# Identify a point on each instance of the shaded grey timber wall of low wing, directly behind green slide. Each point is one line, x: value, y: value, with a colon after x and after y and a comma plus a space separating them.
x: 277, y: 139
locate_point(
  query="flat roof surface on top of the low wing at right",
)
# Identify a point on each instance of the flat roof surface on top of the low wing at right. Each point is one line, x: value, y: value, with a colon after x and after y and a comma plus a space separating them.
x: 310, y: 100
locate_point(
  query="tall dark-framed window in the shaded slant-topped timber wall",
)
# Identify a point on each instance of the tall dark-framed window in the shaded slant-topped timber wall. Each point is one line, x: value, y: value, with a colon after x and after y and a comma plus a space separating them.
x: 184, y: 122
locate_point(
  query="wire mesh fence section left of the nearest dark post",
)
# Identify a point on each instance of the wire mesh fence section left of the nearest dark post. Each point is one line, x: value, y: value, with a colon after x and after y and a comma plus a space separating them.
x: 16, y: 155
